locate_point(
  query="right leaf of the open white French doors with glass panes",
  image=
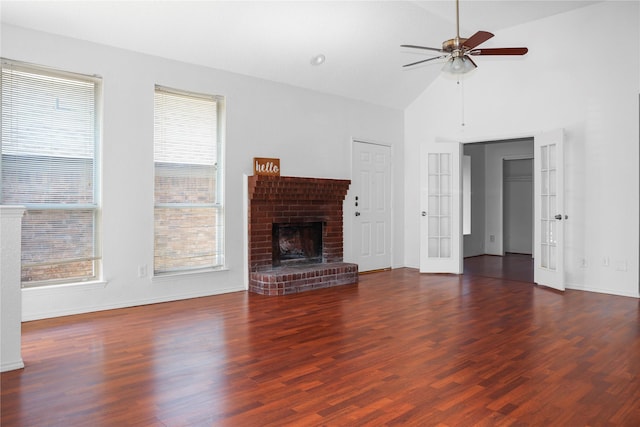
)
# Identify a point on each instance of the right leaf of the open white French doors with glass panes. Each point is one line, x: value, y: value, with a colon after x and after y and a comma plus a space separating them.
x: 549, y: 216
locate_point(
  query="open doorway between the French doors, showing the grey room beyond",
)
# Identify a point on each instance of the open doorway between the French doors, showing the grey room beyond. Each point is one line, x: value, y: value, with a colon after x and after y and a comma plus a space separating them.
x: 502, y: 209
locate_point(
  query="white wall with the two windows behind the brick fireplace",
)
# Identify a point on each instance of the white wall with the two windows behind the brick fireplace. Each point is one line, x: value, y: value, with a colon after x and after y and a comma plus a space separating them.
x: 310, y: 132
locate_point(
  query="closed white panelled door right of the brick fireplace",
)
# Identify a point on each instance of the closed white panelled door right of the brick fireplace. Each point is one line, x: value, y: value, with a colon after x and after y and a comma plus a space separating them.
x: 371, y: 185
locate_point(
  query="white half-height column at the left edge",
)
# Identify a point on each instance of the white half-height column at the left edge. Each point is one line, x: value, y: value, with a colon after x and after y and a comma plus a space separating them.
x: 10, y: 293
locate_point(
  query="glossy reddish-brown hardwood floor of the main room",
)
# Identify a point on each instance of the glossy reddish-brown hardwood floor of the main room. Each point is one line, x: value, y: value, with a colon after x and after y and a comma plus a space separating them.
x: 400, y: 348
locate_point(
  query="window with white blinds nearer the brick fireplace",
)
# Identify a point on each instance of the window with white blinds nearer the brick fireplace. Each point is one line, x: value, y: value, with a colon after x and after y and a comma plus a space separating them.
x: 188, y: 213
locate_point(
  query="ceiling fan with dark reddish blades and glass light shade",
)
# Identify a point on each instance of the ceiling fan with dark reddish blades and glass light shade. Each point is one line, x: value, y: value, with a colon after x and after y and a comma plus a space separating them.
x: 459, y: 50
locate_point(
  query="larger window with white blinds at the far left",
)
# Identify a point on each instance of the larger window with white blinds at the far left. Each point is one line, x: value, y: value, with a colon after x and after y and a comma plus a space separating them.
x: 48, y: 164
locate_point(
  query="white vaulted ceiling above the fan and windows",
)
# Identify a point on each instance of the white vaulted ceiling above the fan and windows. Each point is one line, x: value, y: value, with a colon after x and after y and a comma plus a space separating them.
x: 275, y: 40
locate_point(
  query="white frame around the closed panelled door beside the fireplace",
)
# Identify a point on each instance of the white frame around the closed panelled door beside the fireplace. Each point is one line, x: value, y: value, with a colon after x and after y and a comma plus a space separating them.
x: 349, y: 208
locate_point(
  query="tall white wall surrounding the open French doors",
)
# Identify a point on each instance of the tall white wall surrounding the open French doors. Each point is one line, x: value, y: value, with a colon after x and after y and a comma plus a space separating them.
x: 558, y: 84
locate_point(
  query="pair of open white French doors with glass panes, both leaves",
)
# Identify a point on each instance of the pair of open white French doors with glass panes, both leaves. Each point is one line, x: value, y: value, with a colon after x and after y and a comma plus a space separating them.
x: 441, y: 209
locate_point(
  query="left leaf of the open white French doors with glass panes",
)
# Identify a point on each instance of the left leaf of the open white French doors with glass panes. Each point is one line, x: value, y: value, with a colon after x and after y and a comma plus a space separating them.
x: 440, y: 204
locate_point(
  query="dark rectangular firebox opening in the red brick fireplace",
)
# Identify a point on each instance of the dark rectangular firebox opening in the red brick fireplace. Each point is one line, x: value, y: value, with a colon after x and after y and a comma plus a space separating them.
x: 299, y: 243
